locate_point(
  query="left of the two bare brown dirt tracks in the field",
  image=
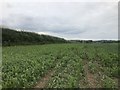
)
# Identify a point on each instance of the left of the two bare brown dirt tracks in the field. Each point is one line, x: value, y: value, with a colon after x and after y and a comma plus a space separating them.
x: 42, y: 83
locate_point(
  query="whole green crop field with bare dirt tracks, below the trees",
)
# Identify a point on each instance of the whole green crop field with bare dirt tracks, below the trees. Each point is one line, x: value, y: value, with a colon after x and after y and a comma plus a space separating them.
x: 61, y: 66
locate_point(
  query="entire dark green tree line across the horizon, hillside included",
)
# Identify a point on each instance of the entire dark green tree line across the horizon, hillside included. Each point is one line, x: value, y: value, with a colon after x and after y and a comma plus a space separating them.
x: 13, y: 37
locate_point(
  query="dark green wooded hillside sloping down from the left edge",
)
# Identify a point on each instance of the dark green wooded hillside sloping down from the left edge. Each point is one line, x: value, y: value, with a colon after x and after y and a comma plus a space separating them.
x: 12, y: 37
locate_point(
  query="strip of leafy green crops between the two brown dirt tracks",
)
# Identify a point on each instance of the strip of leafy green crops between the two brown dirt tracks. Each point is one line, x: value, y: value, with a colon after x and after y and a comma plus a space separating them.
x: 67, y: 73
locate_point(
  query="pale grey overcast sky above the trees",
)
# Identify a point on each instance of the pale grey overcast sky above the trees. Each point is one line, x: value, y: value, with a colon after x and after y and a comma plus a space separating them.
x: 70, y: 20
